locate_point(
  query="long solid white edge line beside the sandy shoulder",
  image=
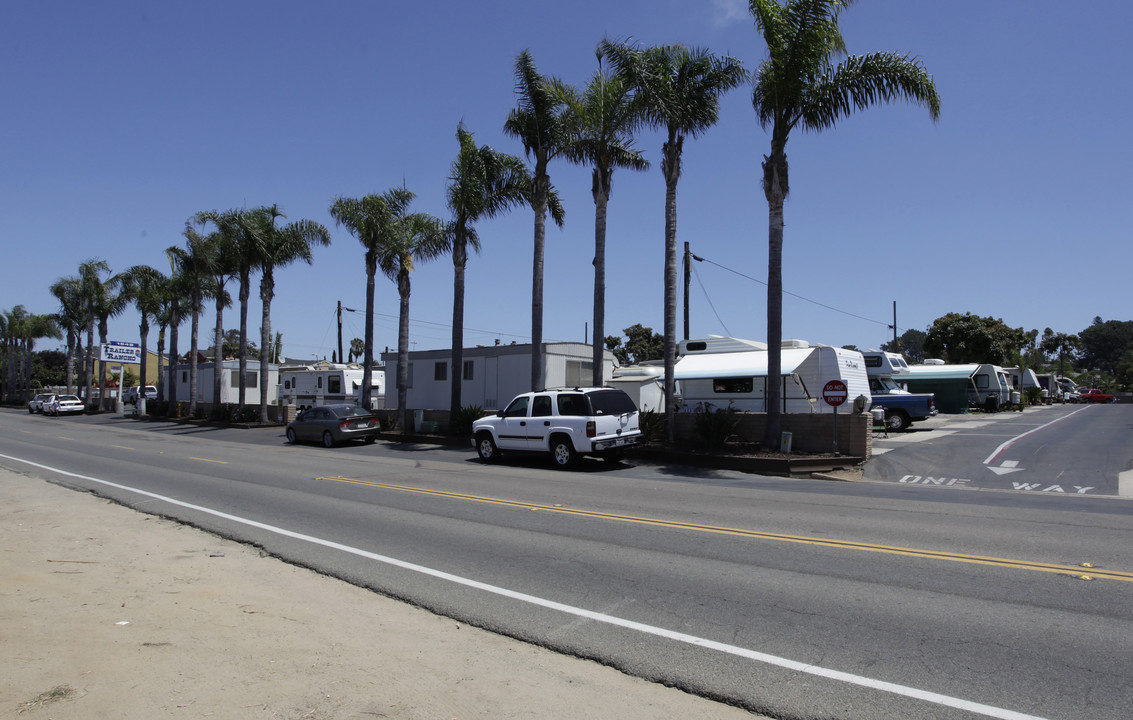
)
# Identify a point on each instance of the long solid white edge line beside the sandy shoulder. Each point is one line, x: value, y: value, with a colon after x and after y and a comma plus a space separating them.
x: 905, y: 691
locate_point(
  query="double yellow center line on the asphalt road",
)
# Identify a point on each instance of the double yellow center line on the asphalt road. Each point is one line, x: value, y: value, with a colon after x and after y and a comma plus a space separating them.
x: 1084, y: 572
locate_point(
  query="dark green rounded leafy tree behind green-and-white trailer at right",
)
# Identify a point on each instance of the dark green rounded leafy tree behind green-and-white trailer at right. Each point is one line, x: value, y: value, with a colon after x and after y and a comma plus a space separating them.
x: 969, y: 338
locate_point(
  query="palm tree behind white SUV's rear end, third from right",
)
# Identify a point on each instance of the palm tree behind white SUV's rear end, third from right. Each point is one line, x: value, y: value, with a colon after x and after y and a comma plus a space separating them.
x: 606, y: 115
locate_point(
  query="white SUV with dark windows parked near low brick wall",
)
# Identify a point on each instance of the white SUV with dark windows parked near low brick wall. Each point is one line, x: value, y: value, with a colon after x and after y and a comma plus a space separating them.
x: 567, y: 423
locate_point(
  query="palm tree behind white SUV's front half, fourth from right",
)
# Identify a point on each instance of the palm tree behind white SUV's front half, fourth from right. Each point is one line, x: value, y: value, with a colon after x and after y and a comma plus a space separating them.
x: 539, y: 124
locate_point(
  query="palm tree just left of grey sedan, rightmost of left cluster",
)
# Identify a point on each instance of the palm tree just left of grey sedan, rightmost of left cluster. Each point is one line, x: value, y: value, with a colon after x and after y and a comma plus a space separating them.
x: 278, y: 247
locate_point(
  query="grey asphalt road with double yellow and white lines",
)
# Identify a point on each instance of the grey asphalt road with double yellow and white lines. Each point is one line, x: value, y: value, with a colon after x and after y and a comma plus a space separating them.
x: 793, y: 598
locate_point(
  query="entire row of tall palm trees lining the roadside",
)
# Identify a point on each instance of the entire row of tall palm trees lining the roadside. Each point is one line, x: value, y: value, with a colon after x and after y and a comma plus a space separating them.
x: 671, y: 88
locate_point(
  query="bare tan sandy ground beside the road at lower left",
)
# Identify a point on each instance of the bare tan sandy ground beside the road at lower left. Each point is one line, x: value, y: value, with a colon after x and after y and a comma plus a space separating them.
x: 107, y: 613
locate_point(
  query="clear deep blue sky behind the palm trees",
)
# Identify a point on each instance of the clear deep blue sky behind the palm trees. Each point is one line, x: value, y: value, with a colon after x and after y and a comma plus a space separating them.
x: 121, y: 121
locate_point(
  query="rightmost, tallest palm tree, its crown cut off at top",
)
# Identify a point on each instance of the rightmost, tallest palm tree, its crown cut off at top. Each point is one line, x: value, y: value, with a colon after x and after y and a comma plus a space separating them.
x: 798, y: 86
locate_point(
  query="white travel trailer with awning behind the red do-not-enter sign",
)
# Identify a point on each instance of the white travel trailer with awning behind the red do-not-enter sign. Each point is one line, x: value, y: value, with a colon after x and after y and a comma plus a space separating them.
x: 731, y: 372
